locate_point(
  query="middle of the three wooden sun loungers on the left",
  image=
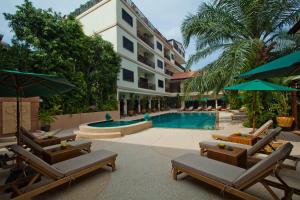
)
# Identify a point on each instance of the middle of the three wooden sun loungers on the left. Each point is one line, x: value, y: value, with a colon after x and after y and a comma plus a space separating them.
x: 80, y: 147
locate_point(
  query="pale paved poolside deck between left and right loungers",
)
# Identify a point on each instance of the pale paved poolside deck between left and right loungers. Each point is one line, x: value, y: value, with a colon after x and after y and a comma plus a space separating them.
x: 144, y: 168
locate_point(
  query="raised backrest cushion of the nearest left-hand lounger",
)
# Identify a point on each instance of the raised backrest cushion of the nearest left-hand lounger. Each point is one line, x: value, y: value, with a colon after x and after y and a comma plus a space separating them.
x: 37, y: 162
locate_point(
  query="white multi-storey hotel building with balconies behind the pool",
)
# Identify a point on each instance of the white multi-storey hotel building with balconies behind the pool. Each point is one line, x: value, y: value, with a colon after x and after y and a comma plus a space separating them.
x: 149, y: 60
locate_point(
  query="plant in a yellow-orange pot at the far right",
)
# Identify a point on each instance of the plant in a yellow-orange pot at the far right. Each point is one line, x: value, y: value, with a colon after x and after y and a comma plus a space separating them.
x: 283, y: 119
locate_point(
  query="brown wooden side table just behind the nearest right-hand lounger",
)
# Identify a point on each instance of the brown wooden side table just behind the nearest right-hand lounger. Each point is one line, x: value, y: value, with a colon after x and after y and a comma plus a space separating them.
x: 235, y: 156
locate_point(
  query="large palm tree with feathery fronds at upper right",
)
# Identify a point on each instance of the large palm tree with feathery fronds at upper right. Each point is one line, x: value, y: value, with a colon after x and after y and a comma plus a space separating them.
x: 248, y: 33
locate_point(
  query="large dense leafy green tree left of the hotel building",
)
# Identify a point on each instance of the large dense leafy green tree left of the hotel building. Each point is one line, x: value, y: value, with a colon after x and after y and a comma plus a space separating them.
x: 56, y: 44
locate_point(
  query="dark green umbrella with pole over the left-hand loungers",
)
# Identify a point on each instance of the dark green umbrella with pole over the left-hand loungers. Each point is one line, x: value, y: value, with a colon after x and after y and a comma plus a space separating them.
x: 23, y: 84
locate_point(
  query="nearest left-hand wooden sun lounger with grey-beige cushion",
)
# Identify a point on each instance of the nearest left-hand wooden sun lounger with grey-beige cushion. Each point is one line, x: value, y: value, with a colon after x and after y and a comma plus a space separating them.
x: 59, y: 173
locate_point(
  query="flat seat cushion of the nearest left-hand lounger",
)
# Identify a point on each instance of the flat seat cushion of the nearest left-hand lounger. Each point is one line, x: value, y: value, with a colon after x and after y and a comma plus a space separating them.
x: 76, y: 164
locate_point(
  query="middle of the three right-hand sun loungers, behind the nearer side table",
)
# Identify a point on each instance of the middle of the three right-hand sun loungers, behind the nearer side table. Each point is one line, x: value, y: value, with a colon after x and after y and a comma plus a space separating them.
x: 256, y: 152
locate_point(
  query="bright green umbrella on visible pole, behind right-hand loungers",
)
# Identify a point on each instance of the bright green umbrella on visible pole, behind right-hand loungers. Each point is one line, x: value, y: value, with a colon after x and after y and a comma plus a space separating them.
x: 255, y: 86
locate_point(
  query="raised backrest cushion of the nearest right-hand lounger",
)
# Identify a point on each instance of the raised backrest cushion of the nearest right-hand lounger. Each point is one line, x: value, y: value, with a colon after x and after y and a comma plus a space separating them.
x: 280, y: 154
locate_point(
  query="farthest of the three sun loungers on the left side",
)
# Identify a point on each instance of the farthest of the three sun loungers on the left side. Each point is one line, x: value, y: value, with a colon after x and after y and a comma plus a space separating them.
x: 43, y: 140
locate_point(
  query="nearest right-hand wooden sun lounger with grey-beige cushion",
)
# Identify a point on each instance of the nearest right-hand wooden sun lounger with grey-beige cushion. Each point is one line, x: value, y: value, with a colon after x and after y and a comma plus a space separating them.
x: 232, y: 179
